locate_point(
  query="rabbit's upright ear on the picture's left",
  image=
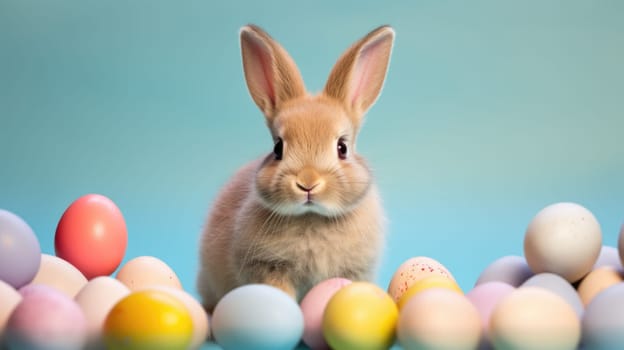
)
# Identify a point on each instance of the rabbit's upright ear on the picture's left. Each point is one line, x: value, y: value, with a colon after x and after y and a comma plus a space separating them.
x: 271, y: 74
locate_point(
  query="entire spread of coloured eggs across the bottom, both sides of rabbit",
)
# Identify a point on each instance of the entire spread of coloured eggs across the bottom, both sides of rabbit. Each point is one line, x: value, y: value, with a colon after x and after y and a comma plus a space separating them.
x: 566, y: 292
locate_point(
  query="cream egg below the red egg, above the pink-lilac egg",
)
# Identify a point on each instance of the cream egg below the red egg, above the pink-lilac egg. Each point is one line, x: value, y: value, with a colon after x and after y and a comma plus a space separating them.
x: 58, y: 273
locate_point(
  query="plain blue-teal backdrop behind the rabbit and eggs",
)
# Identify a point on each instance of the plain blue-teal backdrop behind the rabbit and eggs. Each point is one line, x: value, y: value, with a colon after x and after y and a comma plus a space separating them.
x: 491, y: 111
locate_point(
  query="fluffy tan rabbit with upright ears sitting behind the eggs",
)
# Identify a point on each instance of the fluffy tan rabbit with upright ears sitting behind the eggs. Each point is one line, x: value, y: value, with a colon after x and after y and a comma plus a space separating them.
x: 308, y: 210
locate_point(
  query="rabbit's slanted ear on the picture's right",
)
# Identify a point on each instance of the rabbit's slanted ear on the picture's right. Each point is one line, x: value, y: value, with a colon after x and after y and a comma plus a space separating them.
x: 358, y: 76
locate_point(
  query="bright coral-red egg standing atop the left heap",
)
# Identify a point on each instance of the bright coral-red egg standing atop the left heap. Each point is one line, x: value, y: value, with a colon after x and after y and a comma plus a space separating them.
x: 92, y: 235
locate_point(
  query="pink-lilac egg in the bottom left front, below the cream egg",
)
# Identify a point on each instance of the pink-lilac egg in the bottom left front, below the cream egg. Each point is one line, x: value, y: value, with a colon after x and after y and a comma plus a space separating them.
x: 45, y: 319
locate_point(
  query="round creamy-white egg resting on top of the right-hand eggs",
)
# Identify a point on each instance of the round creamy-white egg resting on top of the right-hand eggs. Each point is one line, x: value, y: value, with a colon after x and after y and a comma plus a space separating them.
x: 565, y: 239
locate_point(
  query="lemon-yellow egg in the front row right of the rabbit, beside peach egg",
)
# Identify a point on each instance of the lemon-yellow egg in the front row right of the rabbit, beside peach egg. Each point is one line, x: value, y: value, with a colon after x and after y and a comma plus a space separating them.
x: 360, y: 316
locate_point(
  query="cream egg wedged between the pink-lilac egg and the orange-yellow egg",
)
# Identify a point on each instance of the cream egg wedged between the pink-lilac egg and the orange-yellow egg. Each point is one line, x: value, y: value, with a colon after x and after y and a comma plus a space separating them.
x: 97, y: 298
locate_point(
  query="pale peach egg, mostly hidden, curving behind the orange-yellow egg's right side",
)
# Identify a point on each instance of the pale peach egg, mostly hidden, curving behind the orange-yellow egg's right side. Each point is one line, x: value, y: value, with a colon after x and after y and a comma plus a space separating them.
x: 201, y: 327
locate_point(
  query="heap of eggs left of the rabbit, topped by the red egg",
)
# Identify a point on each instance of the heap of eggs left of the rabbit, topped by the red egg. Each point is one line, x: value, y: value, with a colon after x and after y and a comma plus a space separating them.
x: 71, y: 301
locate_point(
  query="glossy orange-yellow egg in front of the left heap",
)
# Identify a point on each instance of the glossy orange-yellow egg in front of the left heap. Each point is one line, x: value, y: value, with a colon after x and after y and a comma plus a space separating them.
x: 148, y: 320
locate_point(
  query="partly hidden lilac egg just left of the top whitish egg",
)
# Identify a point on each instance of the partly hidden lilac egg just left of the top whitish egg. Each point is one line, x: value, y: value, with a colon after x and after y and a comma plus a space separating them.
x: 510, y: 269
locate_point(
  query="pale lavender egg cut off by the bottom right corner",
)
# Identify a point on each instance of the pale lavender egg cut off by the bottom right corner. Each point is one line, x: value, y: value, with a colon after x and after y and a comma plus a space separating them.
x: 603, y: 324
